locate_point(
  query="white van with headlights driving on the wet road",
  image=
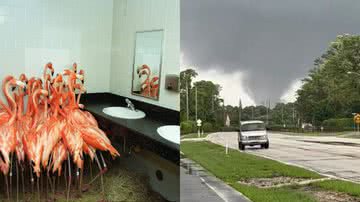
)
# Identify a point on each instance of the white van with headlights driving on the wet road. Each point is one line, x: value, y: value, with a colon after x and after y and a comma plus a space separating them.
x: 253, y: 133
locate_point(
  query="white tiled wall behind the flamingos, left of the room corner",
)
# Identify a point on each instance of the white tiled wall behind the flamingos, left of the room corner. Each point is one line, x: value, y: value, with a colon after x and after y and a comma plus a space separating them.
x: 37, y: 31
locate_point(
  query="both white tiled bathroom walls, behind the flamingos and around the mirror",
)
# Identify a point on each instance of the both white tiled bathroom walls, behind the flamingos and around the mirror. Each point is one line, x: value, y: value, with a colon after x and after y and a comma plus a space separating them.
x: 98, y: 34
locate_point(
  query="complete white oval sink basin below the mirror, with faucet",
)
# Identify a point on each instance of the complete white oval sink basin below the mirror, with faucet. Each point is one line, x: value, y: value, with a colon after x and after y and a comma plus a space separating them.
x: 124, y: 113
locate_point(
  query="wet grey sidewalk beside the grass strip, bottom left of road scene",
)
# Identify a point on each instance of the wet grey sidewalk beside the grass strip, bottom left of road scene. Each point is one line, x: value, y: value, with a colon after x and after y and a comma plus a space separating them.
x: 198, y: 185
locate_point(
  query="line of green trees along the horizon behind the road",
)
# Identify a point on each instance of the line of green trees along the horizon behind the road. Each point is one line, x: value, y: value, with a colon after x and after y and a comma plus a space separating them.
x: 330, y: 91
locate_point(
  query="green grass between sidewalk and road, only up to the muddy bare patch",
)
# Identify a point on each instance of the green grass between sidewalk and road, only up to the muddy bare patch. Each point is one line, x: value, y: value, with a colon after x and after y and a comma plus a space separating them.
x: 236, y: 165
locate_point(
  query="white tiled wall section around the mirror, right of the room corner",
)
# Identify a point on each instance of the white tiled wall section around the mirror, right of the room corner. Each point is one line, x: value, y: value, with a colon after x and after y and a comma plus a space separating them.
x: 139, y: 15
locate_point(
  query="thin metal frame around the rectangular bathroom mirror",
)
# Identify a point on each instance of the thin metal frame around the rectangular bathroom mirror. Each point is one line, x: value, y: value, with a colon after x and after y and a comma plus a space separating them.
x: 160, y: 65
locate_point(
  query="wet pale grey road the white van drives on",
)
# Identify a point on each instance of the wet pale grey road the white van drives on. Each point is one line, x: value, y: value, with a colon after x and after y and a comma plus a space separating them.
x: 339, y: 157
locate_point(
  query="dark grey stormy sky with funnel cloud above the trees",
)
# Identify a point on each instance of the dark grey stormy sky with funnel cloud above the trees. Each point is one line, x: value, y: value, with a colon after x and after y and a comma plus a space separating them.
x: 261, y: 49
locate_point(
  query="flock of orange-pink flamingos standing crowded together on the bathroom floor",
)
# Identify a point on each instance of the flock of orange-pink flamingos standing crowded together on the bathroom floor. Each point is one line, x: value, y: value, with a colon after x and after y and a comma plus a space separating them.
x: 43, y: 129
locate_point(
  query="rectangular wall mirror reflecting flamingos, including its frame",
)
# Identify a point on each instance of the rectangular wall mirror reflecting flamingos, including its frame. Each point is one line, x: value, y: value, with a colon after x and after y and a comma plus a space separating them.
x: 147, y: 63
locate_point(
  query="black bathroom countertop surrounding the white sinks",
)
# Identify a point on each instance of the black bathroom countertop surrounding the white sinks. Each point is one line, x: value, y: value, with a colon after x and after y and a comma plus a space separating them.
x: 146, y: 126
